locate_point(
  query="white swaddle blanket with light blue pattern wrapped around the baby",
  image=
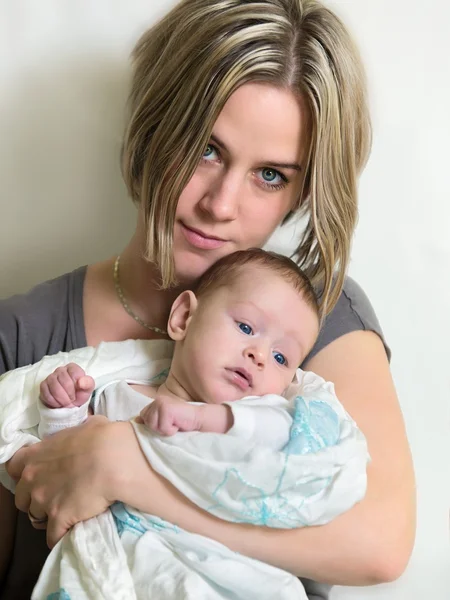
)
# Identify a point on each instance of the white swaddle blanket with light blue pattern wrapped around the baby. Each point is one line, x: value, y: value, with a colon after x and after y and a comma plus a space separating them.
x: 286, y: 462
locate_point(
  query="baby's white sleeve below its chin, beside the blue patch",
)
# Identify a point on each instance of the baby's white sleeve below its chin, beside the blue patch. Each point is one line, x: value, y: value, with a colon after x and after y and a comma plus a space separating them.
x: 264, y: 420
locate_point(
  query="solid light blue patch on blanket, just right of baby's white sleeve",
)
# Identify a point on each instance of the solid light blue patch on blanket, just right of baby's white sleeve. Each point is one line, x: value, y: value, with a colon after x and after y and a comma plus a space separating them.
x: 315, y: 426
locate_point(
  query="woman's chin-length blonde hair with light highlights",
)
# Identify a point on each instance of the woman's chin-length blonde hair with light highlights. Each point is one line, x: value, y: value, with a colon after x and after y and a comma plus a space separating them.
x: 185, y: 69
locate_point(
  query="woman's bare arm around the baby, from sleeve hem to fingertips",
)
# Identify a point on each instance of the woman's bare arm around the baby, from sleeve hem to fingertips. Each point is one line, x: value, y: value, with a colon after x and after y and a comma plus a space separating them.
x: 369, y: 544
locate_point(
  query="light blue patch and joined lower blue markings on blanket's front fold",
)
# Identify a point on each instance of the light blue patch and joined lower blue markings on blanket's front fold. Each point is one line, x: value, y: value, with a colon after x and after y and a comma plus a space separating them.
x: 315, y: 426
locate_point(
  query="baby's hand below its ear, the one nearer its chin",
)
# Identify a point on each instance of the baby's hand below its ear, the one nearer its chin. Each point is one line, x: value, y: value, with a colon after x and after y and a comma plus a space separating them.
x: 167, y: 415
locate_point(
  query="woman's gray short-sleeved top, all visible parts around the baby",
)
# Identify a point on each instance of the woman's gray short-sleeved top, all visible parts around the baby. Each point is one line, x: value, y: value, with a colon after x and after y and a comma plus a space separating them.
x: 49, y: 319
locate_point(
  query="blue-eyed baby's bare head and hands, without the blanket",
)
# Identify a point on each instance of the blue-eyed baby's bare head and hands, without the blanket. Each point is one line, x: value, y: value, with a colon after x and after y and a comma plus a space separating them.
x: 244, y: 332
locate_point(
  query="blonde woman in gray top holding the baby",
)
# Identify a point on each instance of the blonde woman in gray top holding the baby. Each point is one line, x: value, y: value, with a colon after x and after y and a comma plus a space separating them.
x: 241, y: 113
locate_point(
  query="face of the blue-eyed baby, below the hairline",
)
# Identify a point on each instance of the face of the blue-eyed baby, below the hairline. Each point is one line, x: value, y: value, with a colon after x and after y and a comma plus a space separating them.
x: 246, y: 339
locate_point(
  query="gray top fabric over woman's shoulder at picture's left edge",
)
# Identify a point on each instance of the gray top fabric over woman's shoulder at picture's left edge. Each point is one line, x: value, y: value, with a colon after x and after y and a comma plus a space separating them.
x: 46, y: 319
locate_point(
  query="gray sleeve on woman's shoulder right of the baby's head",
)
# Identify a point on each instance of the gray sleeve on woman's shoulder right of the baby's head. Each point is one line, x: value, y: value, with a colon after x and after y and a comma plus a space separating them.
x: 353, y: 312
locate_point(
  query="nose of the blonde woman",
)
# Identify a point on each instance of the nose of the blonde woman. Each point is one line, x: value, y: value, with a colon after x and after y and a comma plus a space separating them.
x: 221, y: 200
